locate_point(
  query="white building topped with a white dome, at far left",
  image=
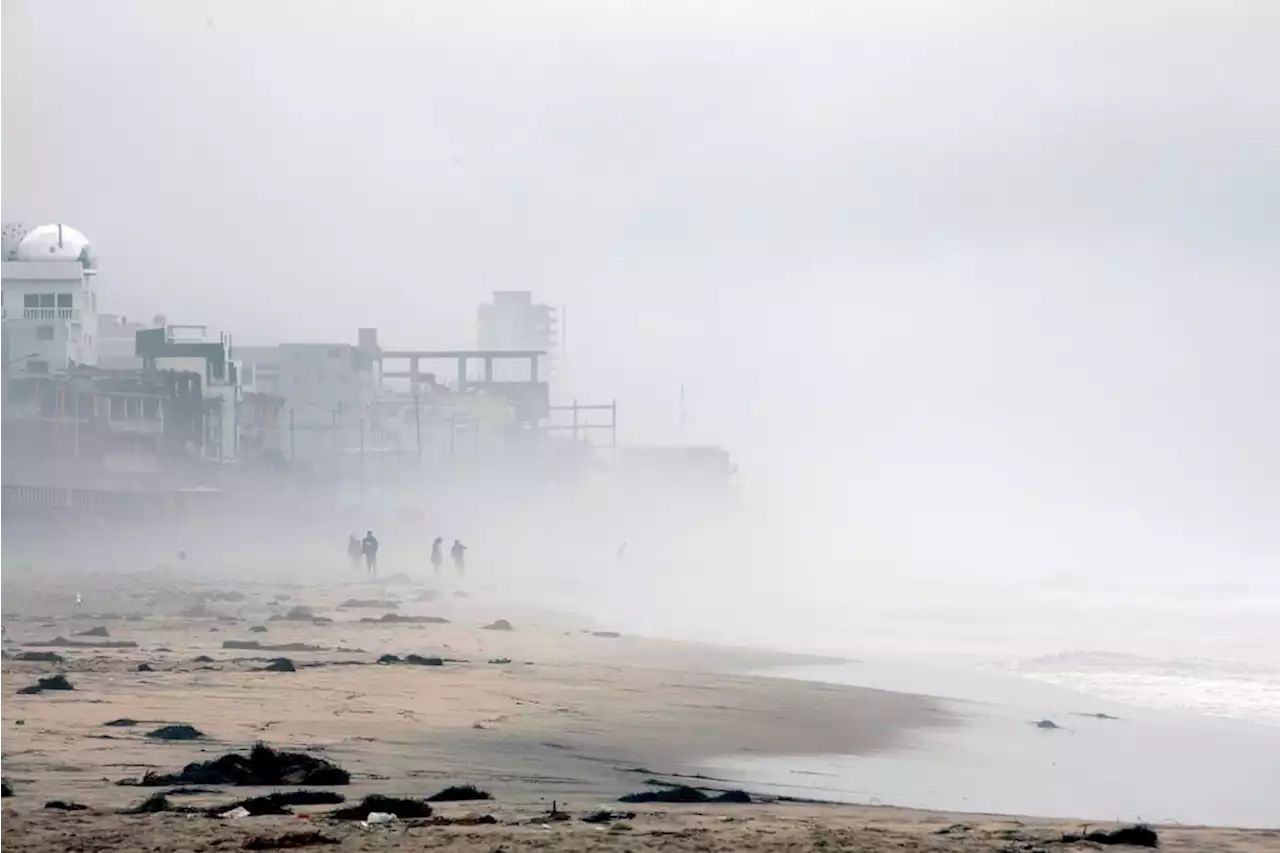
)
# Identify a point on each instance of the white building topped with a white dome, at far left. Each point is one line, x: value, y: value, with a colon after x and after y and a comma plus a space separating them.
x: 49, y: 302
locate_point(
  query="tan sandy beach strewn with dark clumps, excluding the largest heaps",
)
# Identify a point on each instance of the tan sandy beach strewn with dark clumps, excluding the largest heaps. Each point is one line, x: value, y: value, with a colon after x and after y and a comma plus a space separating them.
x: 573, y: 718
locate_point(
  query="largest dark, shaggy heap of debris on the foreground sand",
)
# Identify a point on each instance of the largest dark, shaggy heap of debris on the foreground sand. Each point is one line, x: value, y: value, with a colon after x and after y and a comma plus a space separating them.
x: 263, y: 767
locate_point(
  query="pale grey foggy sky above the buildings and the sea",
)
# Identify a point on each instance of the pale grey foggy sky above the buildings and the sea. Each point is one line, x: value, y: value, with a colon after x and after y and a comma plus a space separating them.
x: 962, y: 272
